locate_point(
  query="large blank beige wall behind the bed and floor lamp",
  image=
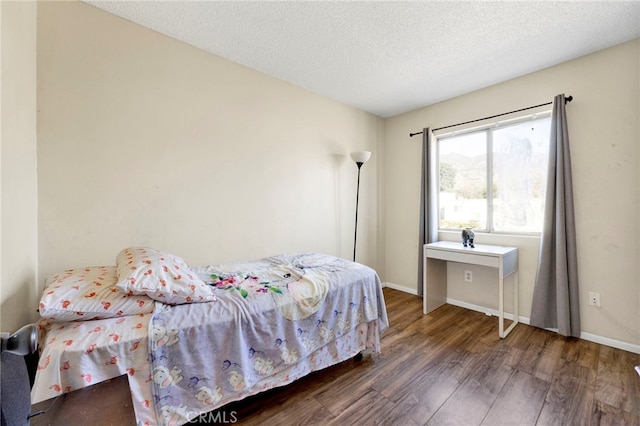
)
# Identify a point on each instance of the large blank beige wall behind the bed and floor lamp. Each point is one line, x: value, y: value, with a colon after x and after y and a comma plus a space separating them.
x: 144, y: 140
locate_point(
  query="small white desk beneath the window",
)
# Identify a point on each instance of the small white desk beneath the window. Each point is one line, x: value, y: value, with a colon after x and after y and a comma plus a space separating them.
x: 436, y: 256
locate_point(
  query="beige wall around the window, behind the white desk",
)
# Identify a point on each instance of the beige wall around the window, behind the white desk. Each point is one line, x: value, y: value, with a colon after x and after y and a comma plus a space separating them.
x: 604, y: 129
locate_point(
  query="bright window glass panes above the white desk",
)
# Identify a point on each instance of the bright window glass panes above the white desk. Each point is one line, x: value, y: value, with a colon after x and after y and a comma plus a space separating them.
x: 493, y: 179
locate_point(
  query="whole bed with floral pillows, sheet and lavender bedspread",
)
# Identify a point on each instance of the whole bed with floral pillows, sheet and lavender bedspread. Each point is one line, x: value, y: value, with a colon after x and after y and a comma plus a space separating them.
x: 192, y: 339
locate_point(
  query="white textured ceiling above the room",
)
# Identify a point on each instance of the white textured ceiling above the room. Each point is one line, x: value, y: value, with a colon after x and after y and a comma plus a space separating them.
x: 390, y: 57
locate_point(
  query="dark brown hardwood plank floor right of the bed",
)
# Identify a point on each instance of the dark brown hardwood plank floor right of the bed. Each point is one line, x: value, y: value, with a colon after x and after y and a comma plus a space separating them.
x: 450, y: 367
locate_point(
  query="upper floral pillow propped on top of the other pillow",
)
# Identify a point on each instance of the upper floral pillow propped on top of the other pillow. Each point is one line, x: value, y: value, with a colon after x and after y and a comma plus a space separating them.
x: 161, y: 276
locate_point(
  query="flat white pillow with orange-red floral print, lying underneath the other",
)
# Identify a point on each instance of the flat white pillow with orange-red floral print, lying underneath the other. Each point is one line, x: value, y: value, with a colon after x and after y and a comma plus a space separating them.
x: 88, y: 293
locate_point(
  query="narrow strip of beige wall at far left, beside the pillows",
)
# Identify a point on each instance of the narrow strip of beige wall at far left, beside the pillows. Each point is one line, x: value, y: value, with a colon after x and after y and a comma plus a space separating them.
x: 18, y: 224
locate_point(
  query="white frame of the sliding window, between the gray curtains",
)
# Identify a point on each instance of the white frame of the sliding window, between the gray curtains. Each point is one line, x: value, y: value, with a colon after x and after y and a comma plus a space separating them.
x: 488, y: 127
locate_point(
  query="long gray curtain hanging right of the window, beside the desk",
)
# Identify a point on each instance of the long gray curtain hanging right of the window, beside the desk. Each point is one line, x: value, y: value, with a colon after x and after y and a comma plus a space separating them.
x: 555, y: 295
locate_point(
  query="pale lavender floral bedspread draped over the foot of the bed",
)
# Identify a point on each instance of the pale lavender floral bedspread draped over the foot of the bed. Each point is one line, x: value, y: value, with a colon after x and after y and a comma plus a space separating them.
x: 275, y: 320
